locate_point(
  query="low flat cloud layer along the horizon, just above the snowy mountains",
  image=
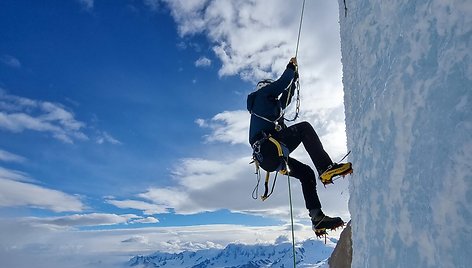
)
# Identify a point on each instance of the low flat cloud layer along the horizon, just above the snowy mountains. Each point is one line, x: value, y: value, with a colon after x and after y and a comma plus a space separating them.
x: 25, y: 242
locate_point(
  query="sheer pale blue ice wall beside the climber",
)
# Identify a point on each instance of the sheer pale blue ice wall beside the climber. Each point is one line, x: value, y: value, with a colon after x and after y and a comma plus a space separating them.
x: 407, y: 78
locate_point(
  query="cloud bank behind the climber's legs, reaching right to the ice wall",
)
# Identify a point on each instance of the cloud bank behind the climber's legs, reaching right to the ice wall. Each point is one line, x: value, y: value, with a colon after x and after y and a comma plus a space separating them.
x: 227, y: 183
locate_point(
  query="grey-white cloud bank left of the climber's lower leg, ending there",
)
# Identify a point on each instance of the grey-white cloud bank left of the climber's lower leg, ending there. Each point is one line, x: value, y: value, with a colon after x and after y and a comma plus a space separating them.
x: 211, y: 185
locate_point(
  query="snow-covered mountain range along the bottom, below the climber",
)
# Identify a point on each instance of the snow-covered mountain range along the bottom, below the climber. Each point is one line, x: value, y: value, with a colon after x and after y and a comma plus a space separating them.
x: 310, y: 253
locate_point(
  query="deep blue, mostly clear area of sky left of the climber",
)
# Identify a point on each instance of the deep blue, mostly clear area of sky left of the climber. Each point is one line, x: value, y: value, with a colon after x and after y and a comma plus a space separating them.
x: 124, y: 77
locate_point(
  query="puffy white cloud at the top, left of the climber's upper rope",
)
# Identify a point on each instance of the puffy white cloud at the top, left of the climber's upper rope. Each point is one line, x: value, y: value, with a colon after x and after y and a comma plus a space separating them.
x: 247, y: 42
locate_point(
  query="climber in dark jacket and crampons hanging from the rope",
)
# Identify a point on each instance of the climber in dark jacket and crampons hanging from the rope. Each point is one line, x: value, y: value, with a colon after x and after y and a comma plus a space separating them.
x: 267, y: 123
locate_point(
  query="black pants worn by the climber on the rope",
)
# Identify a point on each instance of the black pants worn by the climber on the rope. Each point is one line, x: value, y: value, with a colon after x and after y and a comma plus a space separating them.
x: 304, y: 133
